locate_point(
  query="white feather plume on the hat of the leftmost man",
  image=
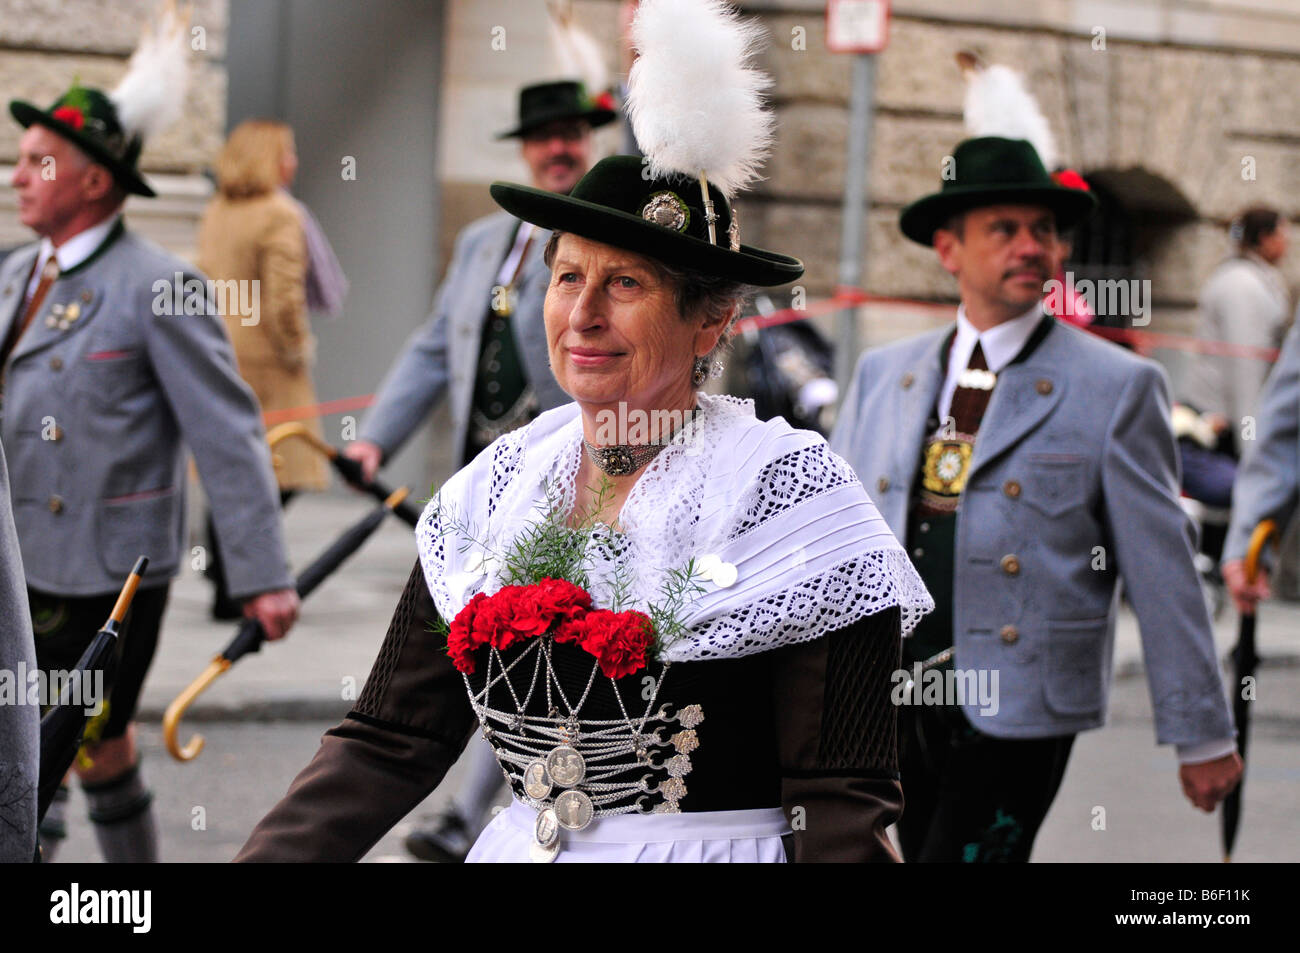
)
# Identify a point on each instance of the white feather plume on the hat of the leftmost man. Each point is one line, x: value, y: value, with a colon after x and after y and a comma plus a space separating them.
x: 151, y: 96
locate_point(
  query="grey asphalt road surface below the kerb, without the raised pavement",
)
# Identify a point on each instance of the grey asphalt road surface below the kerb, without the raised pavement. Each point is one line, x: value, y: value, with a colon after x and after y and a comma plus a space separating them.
x: 249, y: 765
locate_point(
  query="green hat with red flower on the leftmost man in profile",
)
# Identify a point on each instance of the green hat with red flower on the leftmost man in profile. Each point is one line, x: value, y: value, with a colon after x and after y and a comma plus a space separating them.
x: 89, y: 120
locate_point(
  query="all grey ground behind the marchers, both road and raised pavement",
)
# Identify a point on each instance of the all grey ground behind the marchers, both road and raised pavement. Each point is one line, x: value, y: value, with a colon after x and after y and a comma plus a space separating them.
x: 263, y: 722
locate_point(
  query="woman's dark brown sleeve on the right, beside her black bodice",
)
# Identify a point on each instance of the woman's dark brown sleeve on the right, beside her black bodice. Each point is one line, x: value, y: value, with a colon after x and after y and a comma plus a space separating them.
x: 838, y: 742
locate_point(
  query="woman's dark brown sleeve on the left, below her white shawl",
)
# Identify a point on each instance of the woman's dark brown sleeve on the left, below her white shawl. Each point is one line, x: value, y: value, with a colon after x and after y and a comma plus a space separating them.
x: 409, y: 727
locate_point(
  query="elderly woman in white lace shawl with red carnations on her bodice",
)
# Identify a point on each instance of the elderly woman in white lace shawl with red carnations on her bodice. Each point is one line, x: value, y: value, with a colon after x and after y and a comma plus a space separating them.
x: 677, y: 625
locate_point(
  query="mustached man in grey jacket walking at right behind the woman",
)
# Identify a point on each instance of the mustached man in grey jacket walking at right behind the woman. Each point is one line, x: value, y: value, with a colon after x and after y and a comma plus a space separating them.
x: 1029, y: 469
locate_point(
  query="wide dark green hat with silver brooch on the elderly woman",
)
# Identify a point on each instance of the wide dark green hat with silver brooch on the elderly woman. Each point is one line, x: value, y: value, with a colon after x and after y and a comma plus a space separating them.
x: 662, y: 219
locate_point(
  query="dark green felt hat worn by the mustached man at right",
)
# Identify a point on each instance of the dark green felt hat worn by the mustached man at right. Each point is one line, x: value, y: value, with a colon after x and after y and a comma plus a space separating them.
x: 991, y: 171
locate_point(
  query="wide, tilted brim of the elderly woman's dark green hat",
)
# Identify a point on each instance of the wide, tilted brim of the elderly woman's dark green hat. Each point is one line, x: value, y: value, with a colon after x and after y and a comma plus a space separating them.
x: 632, y: 233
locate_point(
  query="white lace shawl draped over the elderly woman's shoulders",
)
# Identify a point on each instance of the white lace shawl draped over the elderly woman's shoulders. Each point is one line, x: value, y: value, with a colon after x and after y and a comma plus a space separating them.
x: 665, y: 525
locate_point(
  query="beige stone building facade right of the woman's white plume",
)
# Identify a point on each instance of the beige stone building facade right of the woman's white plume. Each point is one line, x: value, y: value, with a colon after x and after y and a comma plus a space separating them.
x: 1181, y: 111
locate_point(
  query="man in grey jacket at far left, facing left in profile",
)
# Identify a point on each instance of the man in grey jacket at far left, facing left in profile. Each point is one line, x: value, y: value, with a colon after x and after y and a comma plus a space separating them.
x: 114, y: 361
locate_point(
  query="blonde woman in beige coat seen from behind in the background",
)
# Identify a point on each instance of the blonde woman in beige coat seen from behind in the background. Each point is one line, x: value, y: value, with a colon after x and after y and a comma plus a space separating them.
x: 252, y: 233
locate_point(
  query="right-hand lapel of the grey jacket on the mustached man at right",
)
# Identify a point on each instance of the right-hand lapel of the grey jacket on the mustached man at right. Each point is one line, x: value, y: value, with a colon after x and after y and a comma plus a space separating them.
x: 1026, y: 395
